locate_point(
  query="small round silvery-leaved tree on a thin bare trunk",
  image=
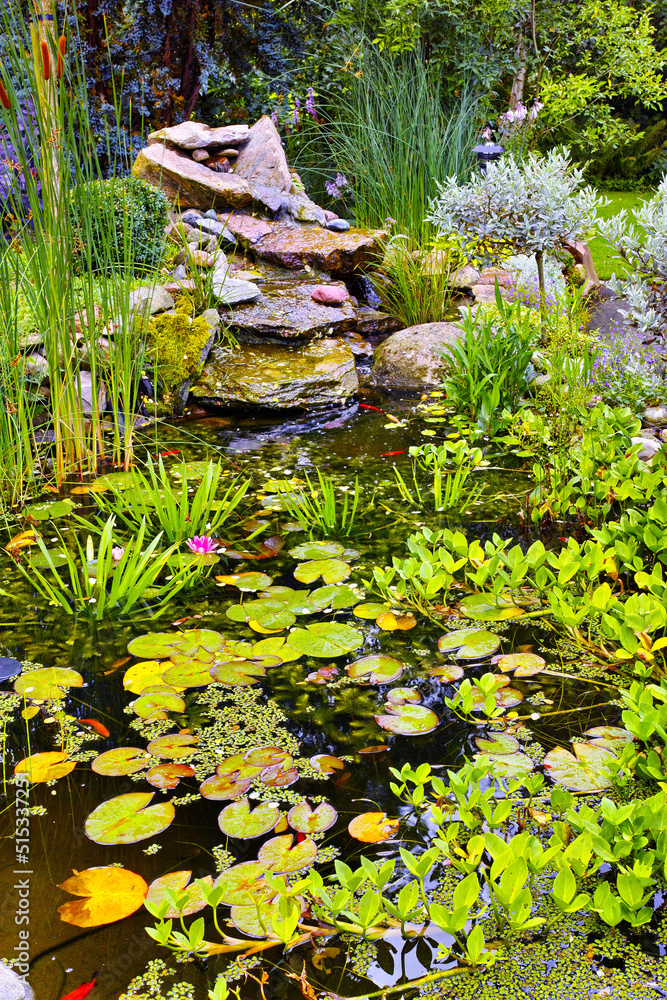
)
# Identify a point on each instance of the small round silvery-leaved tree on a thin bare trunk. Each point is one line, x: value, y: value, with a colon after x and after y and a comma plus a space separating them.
x: 528, y: 206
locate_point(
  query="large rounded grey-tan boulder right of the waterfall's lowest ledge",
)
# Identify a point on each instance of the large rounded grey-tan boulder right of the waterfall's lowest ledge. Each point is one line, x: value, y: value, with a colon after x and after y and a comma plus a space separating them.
x: 414, y: 358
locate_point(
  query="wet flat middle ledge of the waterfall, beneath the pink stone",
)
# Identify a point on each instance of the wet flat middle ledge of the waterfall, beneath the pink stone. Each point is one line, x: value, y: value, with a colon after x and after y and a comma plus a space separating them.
x: 287, y: 311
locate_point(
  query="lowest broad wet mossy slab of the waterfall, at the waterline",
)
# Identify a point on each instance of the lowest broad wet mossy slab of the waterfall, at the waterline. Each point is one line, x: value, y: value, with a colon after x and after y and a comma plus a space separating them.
x: 275, y: 377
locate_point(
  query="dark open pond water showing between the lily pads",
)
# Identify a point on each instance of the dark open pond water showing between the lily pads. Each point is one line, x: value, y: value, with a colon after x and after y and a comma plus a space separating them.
x: 332, y: 718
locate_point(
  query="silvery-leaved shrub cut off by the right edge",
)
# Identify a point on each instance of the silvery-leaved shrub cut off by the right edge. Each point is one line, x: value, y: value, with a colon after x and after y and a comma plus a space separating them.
x: 645, y: 251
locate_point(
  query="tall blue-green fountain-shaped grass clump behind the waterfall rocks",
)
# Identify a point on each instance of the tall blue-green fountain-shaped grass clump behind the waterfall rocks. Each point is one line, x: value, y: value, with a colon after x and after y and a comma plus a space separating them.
x: 395, y: 134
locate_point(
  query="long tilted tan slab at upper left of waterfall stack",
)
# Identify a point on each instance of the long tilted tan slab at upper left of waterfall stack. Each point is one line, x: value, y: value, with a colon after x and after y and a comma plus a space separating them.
x: 180, y: 177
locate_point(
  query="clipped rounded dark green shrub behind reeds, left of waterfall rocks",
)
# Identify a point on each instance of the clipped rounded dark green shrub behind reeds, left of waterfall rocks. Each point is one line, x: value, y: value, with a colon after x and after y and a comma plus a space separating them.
x: 123, y: 222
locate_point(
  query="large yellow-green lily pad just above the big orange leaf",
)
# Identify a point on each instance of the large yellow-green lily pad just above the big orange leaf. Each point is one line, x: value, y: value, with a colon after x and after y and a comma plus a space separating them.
x: 127, y: 819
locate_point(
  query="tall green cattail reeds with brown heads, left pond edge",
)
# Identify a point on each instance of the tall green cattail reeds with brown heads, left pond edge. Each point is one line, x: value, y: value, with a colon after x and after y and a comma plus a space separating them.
x: 89, y: 343
